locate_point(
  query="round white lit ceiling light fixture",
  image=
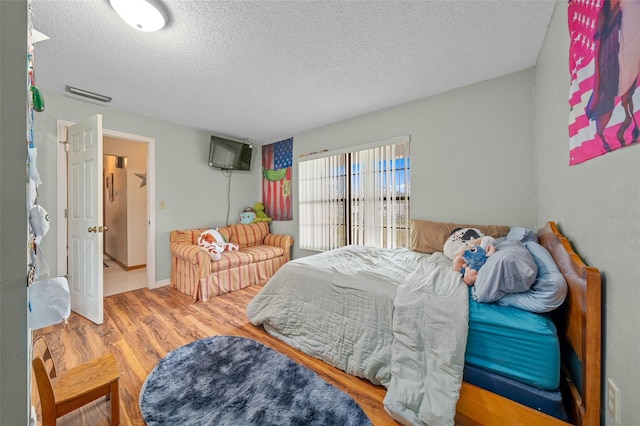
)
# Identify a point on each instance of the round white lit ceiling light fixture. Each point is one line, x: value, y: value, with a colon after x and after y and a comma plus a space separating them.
x: 143, y: 15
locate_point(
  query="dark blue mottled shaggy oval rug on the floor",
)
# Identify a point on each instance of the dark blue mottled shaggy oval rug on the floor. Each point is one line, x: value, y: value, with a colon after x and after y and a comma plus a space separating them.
x: 231, y: 380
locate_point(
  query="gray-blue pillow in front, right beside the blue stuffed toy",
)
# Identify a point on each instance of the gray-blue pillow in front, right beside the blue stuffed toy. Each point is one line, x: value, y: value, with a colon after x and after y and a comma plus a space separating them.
x: 511, y: 269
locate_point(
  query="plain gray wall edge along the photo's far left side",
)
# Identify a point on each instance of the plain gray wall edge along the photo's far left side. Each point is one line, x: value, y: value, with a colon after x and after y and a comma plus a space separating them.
x: 14, y: 359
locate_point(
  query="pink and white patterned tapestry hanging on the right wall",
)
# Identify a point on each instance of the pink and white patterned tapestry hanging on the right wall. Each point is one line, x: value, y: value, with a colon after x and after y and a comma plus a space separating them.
x: 604, y: 60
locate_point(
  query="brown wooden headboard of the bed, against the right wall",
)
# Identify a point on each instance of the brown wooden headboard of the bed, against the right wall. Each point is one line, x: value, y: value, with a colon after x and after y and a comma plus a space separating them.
x: 579, y: 324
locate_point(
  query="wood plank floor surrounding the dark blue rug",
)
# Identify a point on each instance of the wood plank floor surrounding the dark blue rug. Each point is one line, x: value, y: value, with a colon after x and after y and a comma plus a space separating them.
x: 140, y: 327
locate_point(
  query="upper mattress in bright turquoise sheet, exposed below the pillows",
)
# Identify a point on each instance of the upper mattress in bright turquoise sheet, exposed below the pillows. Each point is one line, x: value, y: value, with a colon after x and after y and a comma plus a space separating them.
x: 513, y: 343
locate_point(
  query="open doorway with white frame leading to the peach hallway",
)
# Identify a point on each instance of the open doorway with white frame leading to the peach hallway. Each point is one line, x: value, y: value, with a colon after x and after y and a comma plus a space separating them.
x: 129, y: 245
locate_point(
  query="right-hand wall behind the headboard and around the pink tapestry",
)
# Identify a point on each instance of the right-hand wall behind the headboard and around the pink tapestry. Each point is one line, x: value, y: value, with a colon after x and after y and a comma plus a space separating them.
x: 597, y: 205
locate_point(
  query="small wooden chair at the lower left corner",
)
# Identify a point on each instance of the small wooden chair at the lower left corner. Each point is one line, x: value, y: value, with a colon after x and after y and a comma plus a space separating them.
x: 71, y: 389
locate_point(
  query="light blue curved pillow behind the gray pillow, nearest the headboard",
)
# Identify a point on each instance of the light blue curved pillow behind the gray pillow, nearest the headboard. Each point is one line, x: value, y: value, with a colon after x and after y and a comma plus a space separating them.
x: 547, y: 292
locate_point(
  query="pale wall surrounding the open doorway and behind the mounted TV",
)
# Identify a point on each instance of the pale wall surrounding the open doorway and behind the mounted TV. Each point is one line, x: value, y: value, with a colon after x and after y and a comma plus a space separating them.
x: 194, y: 194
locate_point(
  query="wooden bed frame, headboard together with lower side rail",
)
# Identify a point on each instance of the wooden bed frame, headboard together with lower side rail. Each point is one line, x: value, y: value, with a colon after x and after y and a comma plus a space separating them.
x: 579, y: 327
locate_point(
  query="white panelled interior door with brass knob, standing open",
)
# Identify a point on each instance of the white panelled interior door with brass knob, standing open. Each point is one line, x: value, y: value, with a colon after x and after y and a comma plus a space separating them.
x: 85, y: 231
